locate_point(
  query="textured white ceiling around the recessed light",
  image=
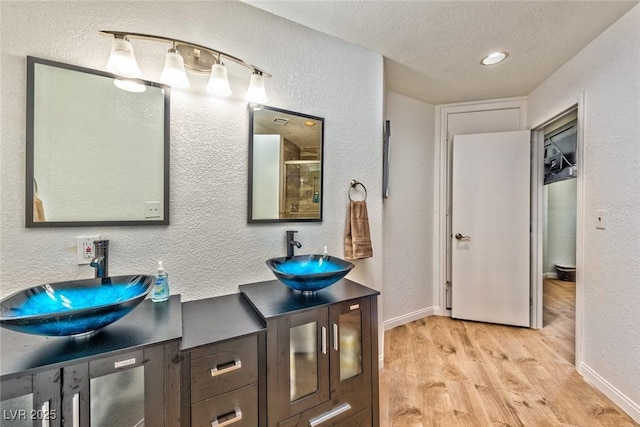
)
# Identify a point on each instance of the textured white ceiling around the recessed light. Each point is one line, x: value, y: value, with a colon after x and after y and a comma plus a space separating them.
x: 433, y: 49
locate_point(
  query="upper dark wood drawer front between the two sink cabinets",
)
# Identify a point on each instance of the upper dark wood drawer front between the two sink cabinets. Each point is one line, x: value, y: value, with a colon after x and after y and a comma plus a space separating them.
x: 219, y: 368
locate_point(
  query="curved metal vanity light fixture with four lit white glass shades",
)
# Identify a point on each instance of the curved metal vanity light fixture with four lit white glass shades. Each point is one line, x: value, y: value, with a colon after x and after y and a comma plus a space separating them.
x: 183, y: 54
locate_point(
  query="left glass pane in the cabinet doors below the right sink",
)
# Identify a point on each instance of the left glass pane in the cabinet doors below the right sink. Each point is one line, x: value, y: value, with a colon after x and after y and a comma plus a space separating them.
x: 303, y: 360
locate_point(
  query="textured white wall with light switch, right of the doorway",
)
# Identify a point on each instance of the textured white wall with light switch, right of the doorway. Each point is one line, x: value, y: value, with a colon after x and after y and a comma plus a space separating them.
x: 608, y: 71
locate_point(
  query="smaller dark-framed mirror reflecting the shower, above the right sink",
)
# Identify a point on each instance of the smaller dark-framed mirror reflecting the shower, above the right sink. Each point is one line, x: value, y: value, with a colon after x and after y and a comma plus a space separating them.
x: 285, y: 166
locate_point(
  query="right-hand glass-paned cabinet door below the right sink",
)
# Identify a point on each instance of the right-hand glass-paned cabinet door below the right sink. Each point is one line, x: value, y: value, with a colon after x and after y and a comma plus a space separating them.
x: 350, y: 361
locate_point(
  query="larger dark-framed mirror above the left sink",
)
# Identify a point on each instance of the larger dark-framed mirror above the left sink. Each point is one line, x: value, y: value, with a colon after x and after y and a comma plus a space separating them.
x: 97, y: 148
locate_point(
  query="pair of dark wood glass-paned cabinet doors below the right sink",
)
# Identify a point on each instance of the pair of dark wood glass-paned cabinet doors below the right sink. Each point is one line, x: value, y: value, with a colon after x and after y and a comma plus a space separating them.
x: 325, y: 352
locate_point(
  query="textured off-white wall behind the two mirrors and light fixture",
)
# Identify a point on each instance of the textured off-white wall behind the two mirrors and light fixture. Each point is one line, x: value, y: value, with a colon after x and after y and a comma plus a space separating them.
x: 208, y: 249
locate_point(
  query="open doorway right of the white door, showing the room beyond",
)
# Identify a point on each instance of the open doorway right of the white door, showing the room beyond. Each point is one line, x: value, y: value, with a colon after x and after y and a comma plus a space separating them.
x: 558, y: 218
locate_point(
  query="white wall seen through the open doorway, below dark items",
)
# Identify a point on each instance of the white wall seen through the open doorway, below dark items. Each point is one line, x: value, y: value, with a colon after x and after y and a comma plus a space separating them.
x: 559, y: 223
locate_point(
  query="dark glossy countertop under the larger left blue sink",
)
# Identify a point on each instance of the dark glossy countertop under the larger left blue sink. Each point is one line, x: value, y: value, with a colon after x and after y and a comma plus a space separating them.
x: 149, y: 323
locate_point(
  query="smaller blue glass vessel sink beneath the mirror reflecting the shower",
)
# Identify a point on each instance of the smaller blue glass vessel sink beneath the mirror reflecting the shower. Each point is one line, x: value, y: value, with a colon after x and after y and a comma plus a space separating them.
x: 309, y: 273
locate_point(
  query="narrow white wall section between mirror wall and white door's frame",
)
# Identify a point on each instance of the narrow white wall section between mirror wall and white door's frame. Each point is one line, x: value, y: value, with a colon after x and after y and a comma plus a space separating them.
x: 408, y: 212
